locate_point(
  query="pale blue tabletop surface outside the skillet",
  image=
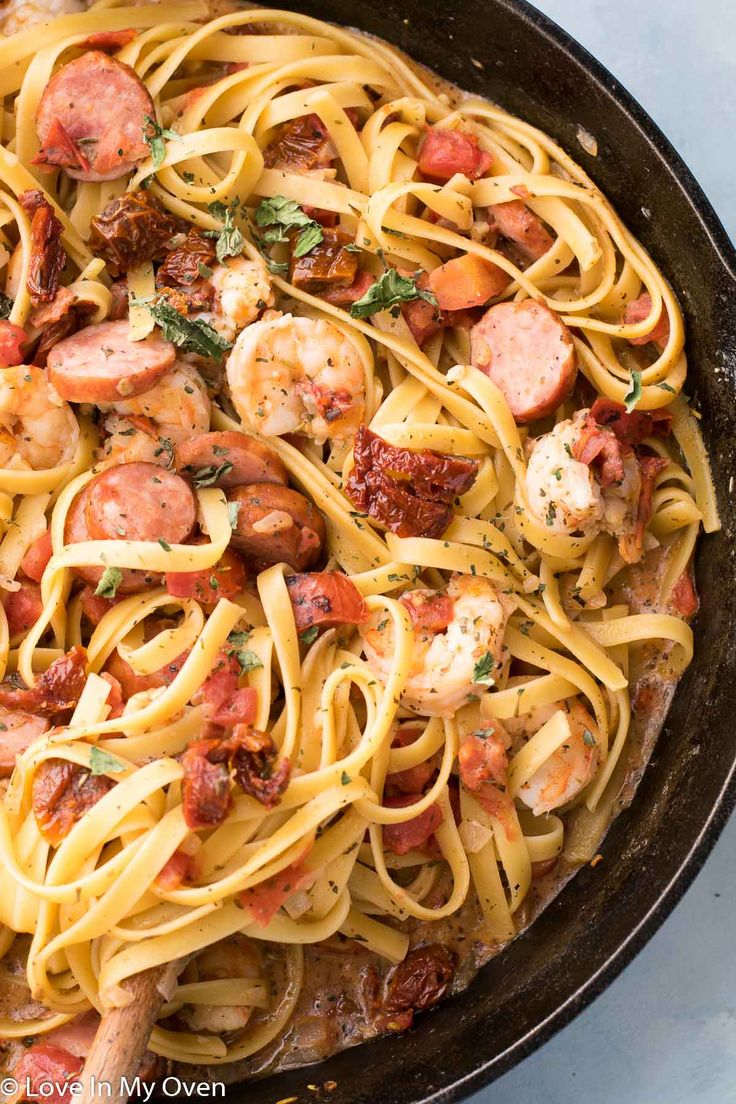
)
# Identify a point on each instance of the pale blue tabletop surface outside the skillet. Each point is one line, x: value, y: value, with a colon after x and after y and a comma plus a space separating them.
x: 666, y: 1032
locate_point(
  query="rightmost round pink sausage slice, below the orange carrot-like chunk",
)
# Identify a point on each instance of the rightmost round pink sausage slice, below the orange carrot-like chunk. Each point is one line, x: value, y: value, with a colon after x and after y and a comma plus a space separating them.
x: 529, y: 354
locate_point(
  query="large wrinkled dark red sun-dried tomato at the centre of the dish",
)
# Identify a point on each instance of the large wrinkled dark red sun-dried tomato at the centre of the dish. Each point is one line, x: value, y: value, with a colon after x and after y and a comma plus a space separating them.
x: 409, y: 491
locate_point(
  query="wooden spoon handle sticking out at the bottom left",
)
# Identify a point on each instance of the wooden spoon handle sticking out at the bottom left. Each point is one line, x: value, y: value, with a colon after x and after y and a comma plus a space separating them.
x: 123, y: 1037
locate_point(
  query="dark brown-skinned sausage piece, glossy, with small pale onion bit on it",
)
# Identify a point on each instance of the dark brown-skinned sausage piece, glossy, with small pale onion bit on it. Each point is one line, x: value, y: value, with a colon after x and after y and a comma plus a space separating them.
x: 278, y: 525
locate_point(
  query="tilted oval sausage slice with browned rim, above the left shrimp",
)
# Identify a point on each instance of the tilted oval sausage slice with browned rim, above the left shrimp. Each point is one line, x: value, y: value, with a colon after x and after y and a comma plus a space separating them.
x: 102, y: 365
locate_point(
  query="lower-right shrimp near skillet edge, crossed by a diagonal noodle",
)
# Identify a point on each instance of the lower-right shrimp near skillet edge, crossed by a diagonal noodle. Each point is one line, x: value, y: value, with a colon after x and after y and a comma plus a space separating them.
x: 570, y: 769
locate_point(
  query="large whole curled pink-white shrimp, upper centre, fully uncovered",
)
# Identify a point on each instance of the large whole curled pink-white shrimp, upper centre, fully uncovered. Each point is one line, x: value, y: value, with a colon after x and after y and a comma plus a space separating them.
x: 292, y: 375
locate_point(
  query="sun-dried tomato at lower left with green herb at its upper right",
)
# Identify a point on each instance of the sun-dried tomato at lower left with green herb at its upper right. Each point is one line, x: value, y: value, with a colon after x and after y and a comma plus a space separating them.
x: 62, y: 793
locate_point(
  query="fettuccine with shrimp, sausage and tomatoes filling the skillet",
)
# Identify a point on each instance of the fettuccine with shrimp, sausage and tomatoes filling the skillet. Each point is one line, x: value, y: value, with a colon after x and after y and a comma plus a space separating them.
x: 409, y: 756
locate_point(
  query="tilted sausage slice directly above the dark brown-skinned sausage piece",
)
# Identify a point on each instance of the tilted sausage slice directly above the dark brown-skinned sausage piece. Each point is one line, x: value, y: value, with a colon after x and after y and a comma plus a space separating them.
x: 229, y: 460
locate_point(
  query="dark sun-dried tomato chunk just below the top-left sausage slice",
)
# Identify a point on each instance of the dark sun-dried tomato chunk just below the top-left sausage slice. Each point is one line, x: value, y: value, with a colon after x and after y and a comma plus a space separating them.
x: 132, y: 229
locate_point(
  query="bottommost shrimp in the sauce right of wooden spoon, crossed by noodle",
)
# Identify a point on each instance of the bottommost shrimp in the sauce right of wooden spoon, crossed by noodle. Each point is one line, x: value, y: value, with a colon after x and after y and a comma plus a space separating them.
x: 231, y: 959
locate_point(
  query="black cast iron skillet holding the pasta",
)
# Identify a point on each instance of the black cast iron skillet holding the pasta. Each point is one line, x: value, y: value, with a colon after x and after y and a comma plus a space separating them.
x: 654, y: 851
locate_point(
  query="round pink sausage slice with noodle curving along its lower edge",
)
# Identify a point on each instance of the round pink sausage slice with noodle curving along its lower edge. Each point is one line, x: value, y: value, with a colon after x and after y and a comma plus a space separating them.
x: 141, y: 503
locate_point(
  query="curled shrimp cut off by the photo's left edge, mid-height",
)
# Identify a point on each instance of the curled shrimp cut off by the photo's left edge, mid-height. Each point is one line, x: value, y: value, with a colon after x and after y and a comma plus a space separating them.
x: 38, y: 429
